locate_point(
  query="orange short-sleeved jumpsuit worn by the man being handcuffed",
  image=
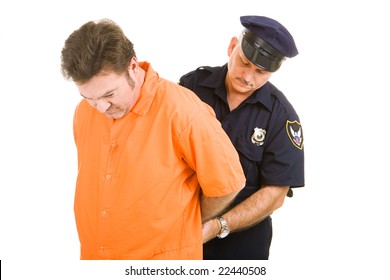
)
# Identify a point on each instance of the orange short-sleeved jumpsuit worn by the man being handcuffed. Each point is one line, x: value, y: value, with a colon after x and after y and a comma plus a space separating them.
x: 139, y: 177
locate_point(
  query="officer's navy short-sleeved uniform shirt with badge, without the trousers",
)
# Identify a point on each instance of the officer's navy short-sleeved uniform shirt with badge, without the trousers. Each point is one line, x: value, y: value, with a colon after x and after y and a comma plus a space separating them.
x: 265, y: 129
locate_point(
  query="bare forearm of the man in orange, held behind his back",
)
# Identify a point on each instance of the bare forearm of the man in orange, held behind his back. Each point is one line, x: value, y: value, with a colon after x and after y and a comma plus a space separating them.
x: 211, y: 207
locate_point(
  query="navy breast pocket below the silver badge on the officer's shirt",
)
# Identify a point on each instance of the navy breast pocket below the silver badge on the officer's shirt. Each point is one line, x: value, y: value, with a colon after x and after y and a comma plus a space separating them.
x: 250, y: 157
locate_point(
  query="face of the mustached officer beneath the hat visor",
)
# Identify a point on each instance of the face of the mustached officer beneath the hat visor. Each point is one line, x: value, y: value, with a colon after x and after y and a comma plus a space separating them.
x: 244, y: 76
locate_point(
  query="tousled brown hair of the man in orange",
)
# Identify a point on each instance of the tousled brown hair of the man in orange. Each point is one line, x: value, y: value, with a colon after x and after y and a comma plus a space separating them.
x: 95, y: 47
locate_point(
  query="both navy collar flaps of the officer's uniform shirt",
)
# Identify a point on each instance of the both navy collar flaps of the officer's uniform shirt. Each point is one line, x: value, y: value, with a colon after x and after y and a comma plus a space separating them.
x: 217, y: 80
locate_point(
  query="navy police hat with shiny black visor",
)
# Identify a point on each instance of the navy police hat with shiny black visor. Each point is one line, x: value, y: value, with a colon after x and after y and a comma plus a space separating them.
x: 266, y: 43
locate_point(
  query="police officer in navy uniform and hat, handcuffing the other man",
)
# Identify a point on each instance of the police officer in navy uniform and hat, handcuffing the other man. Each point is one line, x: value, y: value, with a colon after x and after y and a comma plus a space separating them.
x: 265, y: 130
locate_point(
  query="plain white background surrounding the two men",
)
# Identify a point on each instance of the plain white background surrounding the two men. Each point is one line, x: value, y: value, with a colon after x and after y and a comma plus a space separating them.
x: 337, y: 227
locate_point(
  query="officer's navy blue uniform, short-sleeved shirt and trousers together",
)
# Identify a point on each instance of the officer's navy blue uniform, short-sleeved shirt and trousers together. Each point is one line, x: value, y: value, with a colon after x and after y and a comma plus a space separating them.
x: 267, y: 134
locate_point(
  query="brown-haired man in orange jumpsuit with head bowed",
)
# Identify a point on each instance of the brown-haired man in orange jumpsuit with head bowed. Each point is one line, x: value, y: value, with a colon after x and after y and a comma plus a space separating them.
x: 153, y: 161
